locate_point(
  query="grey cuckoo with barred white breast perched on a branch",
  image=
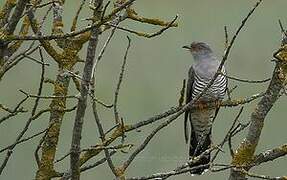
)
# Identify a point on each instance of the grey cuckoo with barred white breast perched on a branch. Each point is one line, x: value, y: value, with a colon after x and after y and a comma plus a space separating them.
x: 200, y: 120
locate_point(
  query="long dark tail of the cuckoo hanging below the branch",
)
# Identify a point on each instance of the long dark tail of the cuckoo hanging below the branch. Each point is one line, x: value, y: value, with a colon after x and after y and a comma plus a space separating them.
x: 196, y: 148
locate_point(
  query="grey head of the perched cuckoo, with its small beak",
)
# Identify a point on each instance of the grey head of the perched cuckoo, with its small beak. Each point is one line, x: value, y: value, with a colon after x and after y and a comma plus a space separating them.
x: 199, y: 50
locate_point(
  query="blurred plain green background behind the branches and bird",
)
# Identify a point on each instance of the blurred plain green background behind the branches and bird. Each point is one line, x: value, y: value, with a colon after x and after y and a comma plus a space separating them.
x: 153, y: 79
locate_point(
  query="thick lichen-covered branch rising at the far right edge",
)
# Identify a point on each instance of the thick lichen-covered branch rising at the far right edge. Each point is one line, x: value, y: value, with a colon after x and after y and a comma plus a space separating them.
x: 249, y: 144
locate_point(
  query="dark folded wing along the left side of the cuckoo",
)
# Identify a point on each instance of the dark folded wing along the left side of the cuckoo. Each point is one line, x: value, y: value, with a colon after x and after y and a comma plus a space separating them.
x: 188, y: 99
